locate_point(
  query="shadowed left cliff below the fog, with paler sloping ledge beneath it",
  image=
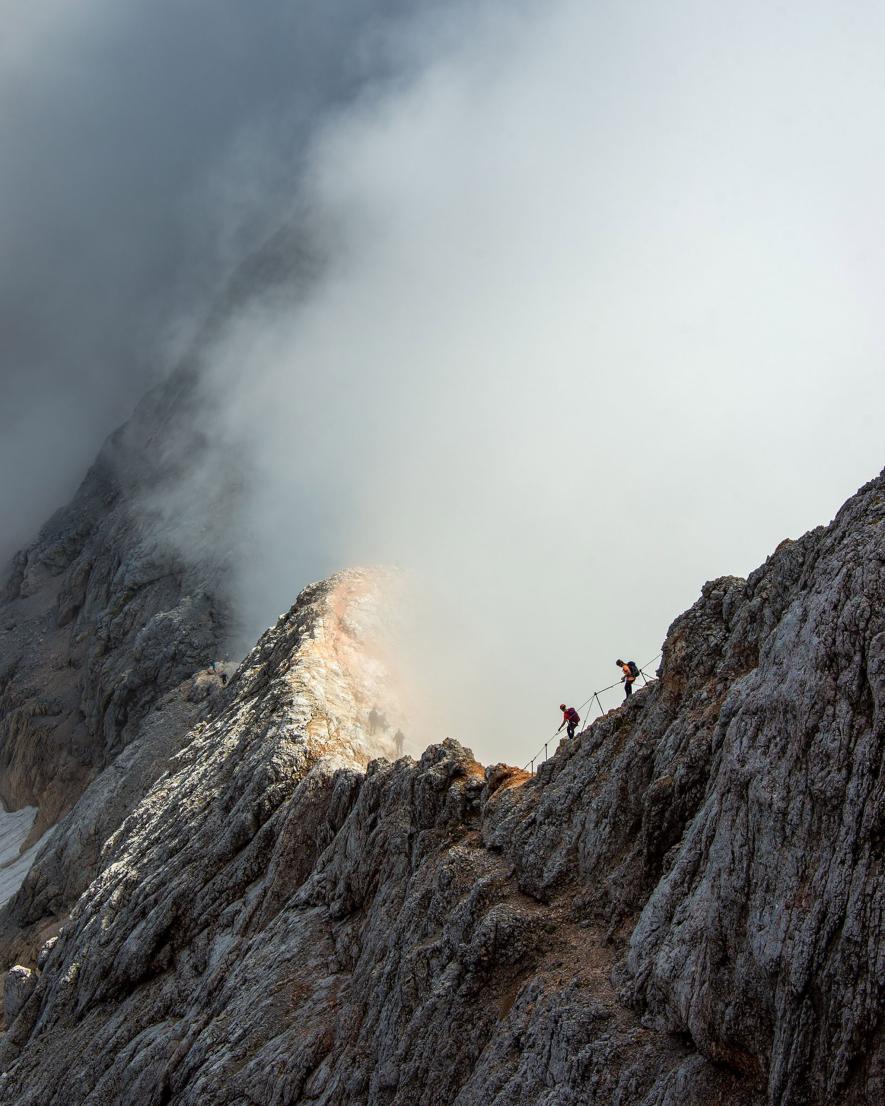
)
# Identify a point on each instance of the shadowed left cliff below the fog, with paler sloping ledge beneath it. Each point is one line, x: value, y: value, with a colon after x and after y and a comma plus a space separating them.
x: 101, y: 619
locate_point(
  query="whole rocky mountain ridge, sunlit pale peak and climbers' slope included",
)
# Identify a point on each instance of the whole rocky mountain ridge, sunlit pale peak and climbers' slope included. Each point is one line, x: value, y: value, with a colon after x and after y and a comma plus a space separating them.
x: 248, y: 901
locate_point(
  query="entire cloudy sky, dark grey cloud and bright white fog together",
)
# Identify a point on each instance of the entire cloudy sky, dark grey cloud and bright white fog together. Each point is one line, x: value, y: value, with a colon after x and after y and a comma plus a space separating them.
x: 602, y: 318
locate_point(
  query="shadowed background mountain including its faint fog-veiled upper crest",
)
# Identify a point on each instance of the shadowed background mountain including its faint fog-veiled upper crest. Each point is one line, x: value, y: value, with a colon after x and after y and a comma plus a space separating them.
x: 123, y: 600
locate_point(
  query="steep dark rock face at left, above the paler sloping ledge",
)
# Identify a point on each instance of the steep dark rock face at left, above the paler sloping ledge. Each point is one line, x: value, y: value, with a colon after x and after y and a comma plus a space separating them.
x: 102, y: 615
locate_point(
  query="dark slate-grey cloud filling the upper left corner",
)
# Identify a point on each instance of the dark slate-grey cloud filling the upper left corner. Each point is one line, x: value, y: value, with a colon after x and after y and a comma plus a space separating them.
x: 148, y: 148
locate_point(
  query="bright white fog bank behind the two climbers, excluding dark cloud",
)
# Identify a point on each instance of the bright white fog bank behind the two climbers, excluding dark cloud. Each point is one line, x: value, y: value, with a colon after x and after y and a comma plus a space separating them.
x: 601, y: 321
